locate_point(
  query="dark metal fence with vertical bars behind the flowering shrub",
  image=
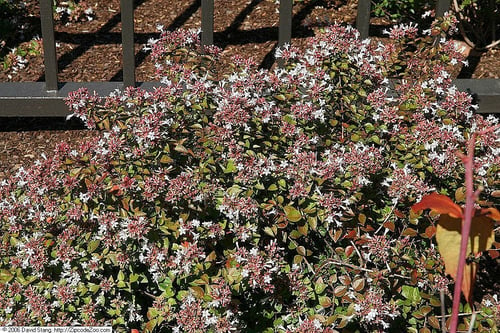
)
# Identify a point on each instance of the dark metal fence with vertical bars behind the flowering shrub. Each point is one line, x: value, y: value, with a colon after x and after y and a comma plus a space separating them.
x: 45, y: 99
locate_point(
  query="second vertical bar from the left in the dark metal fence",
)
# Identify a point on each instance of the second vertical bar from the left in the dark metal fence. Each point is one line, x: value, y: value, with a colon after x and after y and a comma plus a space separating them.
x: 128, y: 52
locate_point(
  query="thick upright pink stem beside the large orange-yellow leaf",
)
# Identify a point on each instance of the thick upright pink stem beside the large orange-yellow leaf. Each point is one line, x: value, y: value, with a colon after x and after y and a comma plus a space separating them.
x: 466, y: 225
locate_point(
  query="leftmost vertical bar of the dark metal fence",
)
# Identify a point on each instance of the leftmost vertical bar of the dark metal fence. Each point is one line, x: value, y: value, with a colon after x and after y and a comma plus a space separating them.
x: 49, y: 45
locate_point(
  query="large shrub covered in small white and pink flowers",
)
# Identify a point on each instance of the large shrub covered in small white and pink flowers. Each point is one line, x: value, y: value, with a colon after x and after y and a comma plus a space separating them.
x: 265, y: 201
